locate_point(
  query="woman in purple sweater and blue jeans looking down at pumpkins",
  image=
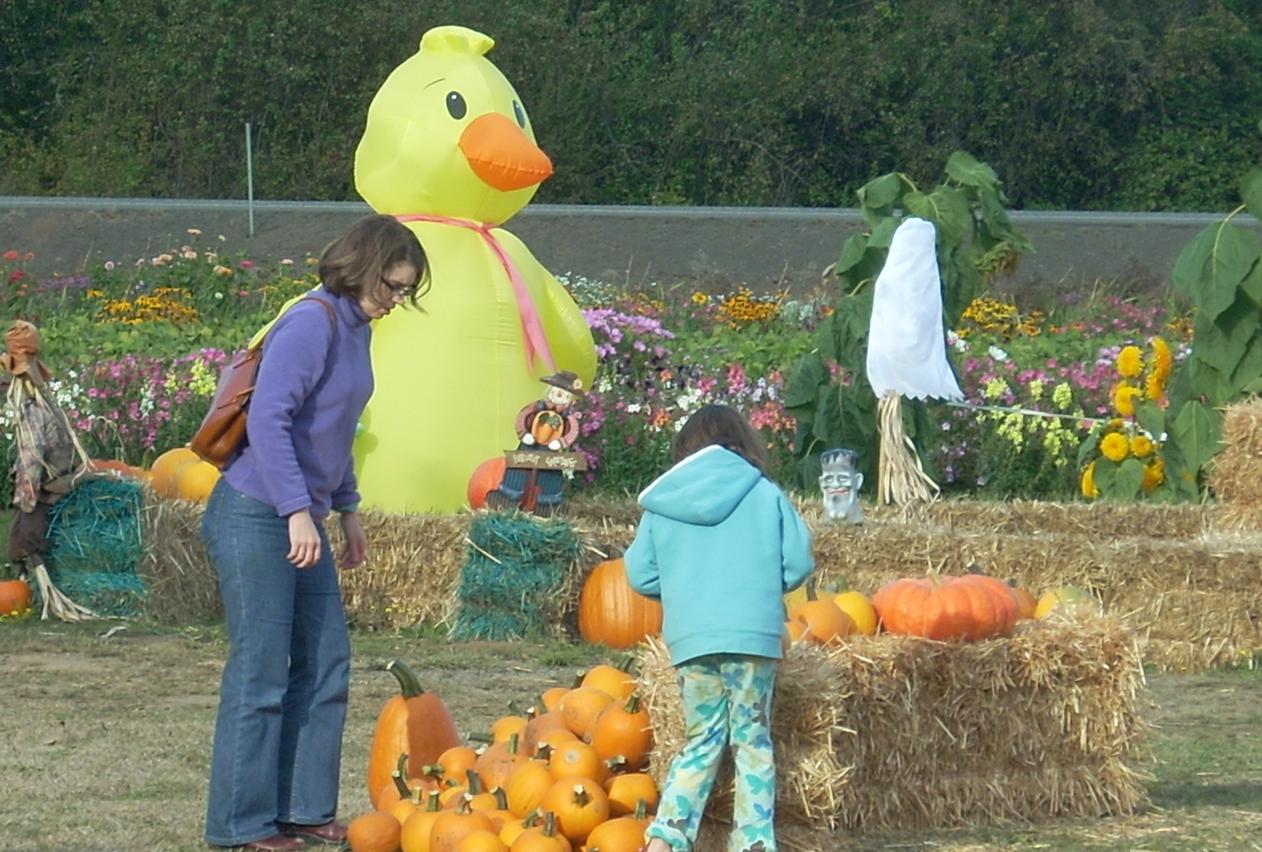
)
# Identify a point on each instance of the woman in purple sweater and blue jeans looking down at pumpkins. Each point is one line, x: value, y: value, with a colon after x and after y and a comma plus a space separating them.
x: 278, y: 737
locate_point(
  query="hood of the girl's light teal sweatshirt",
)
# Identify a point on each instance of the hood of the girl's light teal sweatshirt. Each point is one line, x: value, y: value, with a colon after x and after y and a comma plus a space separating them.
x: 704, y: 489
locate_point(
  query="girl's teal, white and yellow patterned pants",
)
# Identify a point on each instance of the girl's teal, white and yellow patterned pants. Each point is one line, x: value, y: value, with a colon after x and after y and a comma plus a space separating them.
x: 728, y: 700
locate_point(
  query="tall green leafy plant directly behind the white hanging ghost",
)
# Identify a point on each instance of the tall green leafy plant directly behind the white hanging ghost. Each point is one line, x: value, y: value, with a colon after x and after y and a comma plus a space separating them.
x: 829, y: 392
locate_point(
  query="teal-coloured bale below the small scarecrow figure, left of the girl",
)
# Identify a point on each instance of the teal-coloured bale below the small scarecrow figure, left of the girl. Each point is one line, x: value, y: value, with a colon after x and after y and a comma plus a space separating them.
x: 518, y: 579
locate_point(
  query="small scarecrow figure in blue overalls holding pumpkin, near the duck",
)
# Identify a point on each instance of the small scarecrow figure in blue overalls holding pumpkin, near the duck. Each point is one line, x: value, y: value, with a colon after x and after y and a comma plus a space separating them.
x: 548, y: 425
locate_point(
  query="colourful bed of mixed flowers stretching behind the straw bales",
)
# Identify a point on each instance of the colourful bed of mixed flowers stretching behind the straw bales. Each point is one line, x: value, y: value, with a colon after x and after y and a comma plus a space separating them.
x: 137, y: 348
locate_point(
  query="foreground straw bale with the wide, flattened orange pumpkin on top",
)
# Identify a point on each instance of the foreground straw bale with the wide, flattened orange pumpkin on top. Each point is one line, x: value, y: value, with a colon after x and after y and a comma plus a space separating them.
x: 897, y: 733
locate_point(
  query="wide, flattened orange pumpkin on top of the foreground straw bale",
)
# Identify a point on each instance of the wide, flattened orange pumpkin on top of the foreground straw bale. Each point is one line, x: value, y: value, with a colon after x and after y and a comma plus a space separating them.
x: 946, y: 608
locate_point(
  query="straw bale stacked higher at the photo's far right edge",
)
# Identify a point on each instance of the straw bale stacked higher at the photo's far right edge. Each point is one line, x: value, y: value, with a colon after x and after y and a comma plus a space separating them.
x: 1236, y: 475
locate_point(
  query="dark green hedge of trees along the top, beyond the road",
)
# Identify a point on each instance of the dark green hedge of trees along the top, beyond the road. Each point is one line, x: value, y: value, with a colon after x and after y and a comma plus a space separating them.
x: 1091, y: 105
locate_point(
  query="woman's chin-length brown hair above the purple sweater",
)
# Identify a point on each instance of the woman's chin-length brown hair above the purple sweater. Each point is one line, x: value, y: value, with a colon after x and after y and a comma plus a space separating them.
x: 358, y: 261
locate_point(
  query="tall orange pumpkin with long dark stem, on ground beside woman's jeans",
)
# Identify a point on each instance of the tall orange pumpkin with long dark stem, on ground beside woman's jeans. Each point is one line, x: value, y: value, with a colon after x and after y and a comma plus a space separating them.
x: 415, y: 723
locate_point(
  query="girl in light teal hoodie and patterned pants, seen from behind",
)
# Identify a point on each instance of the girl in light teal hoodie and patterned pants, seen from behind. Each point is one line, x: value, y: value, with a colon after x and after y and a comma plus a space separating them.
x: 720, y: 545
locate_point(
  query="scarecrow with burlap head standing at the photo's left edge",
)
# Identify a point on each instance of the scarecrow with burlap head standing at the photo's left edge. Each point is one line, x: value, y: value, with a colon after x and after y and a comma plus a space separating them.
x: 50, y: 463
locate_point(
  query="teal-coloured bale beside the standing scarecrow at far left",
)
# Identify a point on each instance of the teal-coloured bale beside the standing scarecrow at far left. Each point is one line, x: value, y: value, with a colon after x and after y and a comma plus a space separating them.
x: 94, y: 546
